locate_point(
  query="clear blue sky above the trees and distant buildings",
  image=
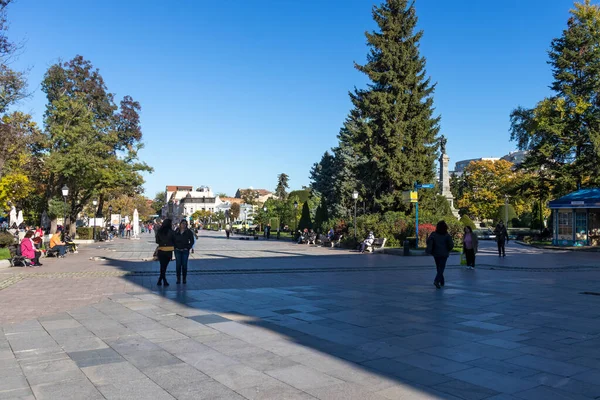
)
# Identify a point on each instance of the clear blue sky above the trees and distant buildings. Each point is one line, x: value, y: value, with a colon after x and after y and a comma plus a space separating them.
x: 235, y: 92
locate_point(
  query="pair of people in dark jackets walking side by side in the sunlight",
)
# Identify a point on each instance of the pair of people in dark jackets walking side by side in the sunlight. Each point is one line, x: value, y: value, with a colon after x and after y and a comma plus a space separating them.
x: 180, y: 241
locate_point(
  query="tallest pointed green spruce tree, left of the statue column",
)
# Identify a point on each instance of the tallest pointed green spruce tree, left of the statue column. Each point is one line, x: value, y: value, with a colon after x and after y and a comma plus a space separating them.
x: 395, y: 127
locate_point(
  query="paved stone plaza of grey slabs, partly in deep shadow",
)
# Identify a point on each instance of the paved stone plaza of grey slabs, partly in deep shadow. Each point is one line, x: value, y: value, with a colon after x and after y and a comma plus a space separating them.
x: 274, y: 320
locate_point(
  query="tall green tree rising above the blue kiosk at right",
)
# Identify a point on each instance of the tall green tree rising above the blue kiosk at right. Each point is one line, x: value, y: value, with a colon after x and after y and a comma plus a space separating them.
x: 562, y: 132
